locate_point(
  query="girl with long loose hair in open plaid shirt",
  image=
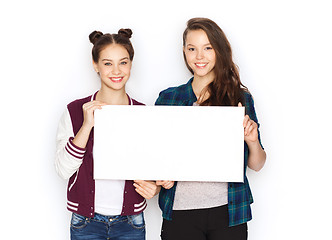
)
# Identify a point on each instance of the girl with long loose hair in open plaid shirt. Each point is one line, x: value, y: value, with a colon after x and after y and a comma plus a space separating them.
x: 210, y: 210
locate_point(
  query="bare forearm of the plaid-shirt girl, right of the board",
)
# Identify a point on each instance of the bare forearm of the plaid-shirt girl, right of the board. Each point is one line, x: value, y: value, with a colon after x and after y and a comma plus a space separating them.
x: 257, y: 156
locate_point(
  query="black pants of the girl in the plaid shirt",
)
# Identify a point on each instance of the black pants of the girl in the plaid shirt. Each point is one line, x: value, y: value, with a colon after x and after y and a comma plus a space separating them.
x: 202, y: 224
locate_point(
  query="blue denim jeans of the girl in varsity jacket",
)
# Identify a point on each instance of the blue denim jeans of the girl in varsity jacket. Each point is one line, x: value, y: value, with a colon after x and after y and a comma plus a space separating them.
x: 107, y: 227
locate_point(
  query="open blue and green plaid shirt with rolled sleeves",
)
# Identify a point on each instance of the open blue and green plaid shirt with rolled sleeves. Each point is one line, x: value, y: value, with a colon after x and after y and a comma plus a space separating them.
x: 239, y: 194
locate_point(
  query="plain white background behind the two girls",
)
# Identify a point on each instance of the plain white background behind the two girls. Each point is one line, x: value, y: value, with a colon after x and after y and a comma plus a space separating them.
x: 283, y: 49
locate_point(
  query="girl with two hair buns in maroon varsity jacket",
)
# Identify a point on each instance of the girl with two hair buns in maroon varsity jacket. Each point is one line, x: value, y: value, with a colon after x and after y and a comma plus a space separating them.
x: 102, y: 209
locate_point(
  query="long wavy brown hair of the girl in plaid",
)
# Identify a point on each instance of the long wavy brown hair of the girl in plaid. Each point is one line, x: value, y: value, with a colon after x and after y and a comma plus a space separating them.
x: 226, y: 89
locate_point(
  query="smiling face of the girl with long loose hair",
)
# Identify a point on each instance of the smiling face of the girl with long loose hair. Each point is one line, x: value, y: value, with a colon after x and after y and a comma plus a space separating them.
x: 199, y: 54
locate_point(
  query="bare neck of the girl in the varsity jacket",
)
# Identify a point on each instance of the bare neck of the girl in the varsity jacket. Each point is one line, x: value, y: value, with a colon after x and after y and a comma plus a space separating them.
x: 112, y: 97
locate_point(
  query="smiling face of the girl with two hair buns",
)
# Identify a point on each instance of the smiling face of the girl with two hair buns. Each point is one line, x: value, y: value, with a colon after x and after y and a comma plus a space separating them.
x: 113, y: 67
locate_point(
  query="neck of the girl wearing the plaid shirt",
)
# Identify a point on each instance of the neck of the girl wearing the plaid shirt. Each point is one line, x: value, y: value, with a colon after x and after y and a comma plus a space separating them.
x: 200, y: 85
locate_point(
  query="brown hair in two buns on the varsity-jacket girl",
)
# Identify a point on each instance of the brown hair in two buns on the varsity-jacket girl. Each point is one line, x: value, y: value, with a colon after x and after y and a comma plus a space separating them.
x: 100, y: 41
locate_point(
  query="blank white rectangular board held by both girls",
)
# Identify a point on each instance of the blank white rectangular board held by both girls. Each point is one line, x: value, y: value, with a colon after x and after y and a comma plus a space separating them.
x: 181, y: 143
